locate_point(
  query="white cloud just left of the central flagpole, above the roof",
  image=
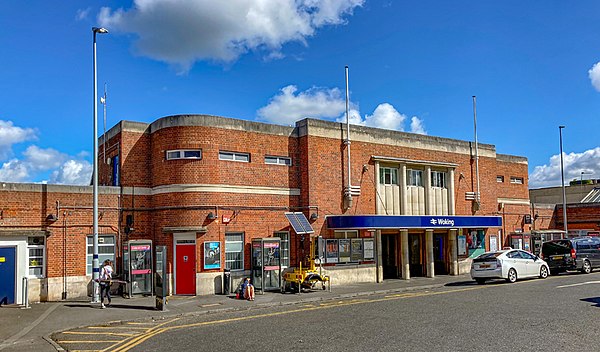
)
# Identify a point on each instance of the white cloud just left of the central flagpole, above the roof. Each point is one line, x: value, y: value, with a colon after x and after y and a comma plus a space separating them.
x: 289, y: 106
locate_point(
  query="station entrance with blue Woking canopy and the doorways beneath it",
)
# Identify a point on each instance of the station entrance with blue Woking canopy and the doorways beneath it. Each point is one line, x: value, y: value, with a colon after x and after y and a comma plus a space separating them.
x: 419, y: 245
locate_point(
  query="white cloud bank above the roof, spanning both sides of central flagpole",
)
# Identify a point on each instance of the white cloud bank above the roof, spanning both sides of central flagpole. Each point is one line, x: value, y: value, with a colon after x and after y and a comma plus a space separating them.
x: 291, y: 105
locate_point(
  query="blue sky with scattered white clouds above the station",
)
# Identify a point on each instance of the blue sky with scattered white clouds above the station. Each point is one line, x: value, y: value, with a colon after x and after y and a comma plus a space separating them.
x: 414, y: 66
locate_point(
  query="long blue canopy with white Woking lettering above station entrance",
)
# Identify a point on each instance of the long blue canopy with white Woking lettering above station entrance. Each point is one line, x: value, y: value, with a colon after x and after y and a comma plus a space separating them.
x: 411, y: 221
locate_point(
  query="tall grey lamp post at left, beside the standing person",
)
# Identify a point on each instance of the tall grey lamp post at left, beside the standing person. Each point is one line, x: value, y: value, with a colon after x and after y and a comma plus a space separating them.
x: 95, y: 266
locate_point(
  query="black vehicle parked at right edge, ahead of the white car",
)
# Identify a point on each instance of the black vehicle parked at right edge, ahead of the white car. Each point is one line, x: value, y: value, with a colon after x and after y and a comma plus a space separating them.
x: 580, y: 253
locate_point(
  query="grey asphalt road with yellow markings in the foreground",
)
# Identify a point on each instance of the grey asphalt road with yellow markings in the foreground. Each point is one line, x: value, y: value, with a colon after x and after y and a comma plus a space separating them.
x: 559, y: 313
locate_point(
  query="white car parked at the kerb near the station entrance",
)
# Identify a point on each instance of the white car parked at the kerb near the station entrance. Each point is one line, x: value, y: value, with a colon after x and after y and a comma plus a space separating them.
x: 511, y: 264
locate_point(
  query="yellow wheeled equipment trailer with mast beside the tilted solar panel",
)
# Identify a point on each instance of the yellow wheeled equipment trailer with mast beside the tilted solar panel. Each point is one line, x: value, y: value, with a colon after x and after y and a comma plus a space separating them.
x: 307, y: 278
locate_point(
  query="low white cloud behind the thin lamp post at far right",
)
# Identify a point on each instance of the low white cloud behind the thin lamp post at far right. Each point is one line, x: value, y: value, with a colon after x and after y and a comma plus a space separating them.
x: 548, y: 175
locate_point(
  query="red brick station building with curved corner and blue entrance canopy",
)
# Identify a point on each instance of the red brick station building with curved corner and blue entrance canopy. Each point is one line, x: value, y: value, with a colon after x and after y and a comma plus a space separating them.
x: 205, y: 187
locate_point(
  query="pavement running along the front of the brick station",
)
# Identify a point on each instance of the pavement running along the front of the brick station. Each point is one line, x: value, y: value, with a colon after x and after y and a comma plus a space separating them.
x: 30, y: 329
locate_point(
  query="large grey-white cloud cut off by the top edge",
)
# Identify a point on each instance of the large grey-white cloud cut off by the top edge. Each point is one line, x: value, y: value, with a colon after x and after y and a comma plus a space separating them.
x: 181, y: 32
